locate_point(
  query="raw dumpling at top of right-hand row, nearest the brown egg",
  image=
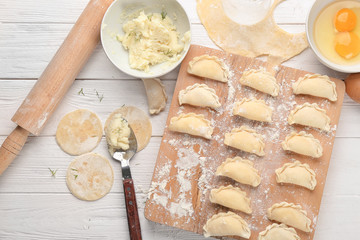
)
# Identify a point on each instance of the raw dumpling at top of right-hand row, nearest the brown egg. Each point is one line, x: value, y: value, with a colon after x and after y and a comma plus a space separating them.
x: 316, y: 85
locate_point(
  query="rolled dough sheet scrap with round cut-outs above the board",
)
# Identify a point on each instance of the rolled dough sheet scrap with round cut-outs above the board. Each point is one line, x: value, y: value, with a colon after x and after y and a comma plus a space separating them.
x: 262, y: 38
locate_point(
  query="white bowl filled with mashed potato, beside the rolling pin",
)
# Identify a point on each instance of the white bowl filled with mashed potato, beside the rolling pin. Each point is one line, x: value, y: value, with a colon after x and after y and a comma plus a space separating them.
x: 146, y: 39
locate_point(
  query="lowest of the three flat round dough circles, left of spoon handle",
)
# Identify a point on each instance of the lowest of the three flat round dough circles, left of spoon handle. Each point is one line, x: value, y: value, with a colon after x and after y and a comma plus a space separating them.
x: 90, y: 177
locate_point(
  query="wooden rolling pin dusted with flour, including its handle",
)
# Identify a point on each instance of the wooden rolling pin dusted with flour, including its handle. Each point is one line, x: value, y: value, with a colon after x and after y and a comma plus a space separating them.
x: 55, y: 81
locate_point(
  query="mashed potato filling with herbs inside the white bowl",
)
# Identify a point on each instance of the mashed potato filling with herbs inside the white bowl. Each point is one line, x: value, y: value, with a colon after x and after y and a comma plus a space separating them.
x: 151, y: 39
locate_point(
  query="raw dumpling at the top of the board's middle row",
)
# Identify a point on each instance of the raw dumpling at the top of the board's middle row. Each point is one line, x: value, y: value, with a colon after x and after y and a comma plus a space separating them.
x: 260, y: 80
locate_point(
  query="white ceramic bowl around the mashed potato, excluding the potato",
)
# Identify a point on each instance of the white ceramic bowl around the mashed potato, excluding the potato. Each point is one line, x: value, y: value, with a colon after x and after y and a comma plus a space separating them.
x: 114, y: 19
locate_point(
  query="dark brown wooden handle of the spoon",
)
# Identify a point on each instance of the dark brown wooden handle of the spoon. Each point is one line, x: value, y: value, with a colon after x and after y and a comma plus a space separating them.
x: 131, y: 210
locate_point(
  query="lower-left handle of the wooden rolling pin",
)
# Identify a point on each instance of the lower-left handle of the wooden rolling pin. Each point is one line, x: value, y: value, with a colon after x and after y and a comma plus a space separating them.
x: 11, y: 147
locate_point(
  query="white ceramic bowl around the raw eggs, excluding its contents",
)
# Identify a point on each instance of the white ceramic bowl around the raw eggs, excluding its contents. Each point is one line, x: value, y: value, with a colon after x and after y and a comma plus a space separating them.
x: 318, y: 6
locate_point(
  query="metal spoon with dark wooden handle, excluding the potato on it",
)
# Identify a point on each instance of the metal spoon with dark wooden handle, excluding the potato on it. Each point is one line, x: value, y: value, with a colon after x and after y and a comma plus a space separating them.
x: 124, y: 156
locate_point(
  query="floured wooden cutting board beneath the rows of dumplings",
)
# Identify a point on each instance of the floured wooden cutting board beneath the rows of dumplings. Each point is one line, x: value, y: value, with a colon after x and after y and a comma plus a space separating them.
x: 185, y: 167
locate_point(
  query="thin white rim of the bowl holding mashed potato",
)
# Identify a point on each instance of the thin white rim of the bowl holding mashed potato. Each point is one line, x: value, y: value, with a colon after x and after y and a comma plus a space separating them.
x: 143, y: 74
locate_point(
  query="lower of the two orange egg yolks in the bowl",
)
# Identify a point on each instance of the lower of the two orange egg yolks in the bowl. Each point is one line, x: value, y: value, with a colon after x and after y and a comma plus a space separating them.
x: 347, y: 44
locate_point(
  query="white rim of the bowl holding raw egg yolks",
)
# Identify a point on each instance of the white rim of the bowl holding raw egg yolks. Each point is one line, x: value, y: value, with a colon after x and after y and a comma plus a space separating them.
x: 321, y: 58
